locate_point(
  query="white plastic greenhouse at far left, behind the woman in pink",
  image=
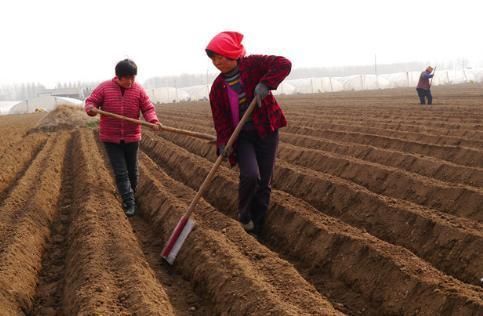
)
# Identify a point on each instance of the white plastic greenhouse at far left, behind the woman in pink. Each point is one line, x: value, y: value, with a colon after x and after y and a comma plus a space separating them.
x: 44, y: 103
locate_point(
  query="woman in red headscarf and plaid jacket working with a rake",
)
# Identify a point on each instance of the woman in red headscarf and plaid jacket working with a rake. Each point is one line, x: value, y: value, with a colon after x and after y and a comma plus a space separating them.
x: 241, y: 79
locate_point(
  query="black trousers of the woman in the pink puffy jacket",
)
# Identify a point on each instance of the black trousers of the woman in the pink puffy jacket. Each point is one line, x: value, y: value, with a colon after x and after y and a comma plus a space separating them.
x: 124, y: 162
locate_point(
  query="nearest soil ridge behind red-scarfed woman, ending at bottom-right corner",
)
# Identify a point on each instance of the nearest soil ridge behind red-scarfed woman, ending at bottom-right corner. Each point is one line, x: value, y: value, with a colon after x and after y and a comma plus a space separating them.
x: 312, y: 249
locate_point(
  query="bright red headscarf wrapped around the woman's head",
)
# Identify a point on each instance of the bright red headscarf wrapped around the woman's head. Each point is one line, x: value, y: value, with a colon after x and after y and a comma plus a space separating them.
x: 227, y: 44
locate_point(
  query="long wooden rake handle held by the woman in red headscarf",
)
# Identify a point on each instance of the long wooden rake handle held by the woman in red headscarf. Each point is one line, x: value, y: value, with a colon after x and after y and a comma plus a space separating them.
x: 218, y: 161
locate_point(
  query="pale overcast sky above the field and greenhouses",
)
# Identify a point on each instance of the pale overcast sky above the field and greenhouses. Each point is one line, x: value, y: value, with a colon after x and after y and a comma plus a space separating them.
x: 50, y: 41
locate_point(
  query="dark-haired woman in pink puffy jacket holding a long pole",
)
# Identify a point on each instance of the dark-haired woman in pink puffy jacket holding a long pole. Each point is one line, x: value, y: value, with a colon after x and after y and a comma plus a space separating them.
x: 122, y: 95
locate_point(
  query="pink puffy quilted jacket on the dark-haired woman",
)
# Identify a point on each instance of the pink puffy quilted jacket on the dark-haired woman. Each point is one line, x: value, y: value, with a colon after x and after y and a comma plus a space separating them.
x: 108, y: 97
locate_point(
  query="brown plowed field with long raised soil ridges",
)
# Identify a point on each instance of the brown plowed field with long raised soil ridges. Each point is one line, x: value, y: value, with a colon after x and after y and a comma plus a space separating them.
x: 376, y: 209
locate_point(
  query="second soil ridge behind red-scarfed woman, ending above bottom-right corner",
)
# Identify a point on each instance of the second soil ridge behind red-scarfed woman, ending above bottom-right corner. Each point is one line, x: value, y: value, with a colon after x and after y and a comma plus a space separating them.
x: 361, y: 207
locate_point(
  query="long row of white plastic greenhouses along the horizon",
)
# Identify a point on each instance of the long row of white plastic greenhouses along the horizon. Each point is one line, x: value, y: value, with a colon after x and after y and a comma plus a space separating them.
x: 287, y: 87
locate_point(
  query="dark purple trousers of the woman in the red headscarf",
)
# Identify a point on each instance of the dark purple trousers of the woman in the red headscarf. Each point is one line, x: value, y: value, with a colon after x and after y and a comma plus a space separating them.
x: 256, y: 159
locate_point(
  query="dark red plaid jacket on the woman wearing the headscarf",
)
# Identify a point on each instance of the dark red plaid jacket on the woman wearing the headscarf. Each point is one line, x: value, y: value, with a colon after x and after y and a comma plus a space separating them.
x: 269, y: 70
